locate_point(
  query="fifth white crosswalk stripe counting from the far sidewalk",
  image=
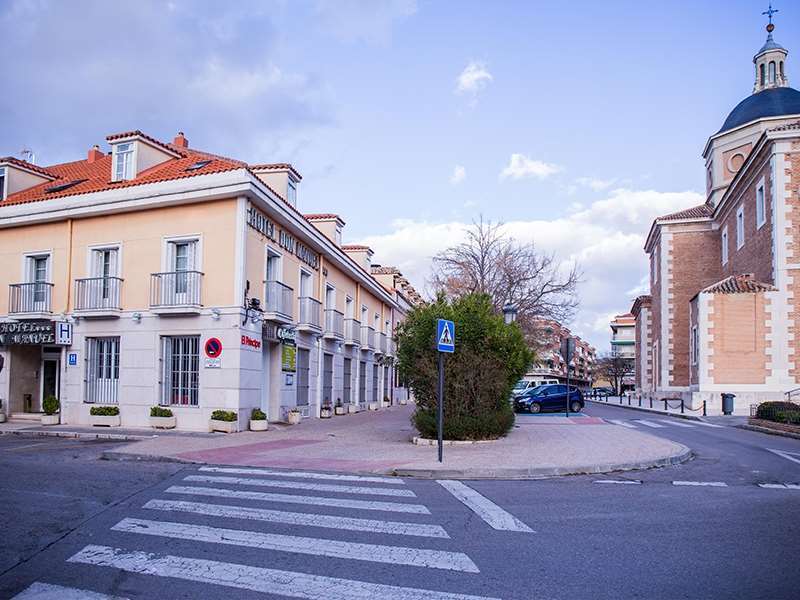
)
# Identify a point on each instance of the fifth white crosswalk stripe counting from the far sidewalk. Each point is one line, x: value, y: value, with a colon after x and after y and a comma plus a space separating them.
x: 378, y: 553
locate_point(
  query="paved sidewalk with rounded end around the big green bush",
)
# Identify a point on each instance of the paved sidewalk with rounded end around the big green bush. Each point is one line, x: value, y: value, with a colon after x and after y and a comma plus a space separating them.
x: 379, y: 442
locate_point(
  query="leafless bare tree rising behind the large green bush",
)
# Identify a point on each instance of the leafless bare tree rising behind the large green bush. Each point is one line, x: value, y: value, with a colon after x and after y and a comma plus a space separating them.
x: 491, y: 262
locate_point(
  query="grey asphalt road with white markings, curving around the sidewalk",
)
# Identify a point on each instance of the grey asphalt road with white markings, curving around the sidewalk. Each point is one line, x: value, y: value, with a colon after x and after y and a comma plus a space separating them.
x: 157, y: 530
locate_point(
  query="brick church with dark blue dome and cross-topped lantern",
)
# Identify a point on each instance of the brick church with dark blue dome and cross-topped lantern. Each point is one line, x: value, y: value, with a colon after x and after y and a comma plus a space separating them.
x: 721, y: 316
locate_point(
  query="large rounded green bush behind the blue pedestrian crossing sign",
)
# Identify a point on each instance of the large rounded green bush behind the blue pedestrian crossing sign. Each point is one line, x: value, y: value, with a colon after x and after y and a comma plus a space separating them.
x: 490, y: 358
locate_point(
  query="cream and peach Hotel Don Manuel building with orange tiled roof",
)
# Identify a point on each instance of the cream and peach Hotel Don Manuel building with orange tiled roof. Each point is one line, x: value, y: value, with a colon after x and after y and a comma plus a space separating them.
x: 154, y: 273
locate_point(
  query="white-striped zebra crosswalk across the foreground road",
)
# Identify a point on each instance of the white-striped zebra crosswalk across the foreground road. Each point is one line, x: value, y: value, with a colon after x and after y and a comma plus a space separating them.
x: 363, y: 520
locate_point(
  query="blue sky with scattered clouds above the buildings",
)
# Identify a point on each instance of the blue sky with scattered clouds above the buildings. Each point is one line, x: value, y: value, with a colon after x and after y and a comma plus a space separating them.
x: 575, y: 124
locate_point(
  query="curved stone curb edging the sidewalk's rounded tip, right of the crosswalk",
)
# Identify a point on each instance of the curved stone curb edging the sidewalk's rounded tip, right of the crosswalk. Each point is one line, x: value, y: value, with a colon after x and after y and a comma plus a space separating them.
x: 544, y: 472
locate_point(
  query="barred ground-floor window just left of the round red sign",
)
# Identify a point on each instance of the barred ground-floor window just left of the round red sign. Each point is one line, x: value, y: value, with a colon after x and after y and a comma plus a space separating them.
x: 180, y: 359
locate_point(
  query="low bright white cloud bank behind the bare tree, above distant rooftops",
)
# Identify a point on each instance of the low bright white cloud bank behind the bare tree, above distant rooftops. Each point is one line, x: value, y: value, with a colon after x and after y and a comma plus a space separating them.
x: 606, y: 238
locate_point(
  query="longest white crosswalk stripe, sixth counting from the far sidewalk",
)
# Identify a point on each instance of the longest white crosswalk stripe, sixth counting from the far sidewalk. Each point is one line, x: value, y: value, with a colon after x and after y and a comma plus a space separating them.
x: 256, y: 579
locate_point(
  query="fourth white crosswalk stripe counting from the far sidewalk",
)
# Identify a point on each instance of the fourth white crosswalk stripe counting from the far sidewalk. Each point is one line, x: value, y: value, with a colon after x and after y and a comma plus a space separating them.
x: 304, y: 519
